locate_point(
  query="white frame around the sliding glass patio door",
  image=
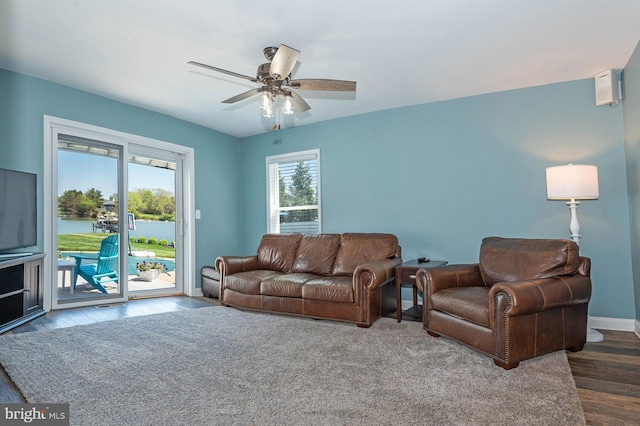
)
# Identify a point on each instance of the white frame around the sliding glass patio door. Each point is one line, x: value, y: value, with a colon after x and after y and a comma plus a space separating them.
x: 52, y: 125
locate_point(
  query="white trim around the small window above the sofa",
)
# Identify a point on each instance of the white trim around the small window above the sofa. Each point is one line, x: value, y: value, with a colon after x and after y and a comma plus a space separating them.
x: 273, y: 205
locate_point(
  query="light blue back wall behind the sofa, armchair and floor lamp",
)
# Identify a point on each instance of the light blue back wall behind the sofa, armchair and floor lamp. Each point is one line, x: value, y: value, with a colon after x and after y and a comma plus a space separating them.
x: 442, y: 176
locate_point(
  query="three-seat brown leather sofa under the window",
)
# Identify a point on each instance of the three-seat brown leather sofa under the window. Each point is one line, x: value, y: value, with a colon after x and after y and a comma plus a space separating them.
x: 346, y: 277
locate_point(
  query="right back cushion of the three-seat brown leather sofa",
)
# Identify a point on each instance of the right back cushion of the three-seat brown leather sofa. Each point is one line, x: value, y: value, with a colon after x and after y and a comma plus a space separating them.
x: 357, y: 249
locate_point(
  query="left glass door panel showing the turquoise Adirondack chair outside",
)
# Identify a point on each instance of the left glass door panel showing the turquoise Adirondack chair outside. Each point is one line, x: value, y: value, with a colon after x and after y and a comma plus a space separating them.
x: 89, y: 178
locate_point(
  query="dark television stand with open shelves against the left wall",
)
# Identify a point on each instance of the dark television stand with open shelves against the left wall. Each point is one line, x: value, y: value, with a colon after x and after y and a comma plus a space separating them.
x: 21, y: 289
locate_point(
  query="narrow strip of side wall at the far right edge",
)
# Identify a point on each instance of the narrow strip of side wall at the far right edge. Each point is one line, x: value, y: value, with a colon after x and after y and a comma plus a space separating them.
x: 631, y: 102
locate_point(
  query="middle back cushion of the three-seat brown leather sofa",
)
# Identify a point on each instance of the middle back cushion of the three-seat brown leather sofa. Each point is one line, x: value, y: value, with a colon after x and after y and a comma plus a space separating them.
x: 316, y: 253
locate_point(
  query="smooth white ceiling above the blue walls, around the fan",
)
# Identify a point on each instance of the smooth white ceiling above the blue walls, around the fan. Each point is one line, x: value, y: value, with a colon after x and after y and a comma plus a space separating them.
x: 401, y: 53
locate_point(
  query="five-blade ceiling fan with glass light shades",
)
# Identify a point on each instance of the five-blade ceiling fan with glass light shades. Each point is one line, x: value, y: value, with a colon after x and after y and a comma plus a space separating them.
x: 275, y: 80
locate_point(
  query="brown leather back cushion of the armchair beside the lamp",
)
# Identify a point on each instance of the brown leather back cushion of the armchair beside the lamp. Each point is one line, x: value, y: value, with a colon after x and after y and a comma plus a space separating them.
x: 518, y: 259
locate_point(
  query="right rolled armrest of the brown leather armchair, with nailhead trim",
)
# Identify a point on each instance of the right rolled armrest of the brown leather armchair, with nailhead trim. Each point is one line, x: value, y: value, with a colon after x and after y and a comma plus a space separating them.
x: 531, y: 296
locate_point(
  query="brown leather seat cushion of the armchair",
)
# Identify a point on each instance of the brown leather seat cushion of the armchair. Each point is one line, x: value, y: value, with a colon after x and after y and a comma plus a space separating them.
x: 468, y: 303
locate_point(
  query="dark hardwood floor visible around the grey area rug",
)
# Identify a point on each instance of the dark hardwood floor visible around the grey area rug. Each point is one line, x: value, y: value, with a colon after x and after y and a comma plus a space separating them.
x: 607, y: 374
